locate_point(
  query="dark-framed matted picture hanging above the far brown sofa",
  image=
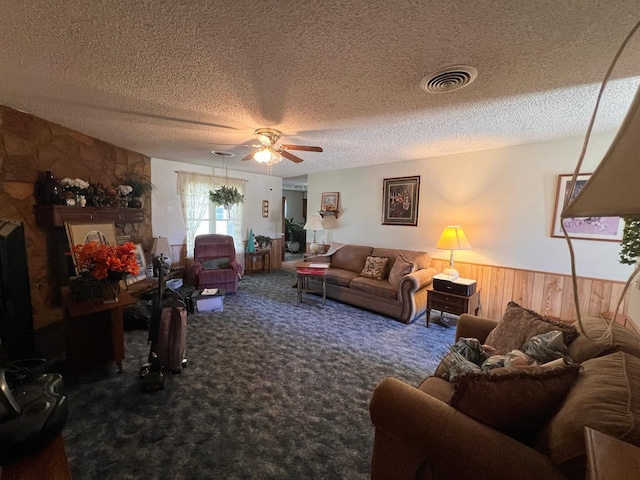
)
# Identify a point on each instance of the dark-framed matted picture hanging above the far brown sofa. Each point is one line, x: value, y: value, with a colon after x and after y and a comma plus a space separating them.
x: 400, y: 201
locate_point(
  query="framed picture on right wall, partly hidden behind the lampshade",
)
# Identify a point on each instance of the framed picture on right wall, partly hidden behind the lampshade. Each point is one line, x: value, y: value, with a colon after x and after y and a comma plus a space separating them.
x: 583, y: 228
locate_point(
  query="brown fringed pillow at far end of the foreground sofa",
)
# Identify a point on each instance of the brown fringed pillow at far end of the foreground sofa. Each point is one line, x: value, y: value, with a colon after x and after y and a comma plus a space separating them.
x: 519, y: 324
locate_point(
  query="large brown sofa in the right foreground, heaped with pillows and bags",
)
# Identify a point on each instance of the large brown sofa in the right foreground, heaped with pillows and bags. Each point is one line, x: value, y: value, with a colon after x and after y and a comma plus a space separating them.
x: 420, y: 435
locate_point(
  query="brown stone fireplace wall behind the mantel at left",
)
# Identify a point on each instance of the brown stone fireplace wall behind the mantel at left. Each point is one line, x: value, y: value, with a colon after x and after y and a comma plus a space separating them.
x: 29, y: 146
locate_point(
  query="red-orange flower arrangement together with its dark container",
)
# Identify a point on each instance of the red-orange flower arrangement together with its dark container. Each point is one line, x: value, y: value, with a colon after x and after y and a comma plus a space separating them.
x: 101, y: 268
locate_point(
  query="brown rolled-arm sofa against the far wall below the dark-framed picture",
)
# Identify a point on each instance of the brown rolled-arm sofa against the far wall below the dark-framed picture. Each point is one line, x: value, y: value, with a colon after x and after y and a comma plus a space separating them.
x: 403, y: 299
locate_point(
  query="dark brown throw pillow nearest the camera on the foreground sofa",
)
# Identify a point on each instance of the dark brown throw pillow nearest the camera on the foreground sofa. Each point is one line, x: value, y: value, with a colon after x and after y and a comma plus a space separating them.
x: 517, y: 401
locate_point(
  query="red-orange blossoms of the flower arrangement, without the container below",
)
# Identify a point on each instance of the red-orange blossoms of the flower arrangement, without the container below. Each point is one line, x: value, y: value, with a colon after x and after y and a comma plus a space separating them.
x: 107, y: 261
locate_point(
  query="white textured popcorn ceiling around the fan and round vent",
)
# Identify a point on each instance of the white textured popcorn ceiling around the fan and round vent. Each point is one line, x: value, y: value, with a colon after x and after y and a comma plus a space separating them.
x: 177, y: 79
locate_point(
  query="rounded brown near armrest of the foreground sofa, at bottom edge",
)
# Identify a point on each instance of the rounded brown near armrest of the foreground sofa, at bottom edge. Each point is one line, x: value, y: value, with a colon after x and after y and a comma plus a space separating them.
x: 411, y: 423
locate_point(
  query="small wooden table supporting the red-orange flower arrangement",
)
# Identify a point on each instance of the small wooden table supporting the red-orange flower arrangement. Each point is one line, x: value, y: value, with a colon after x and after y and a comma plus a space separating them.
x: 94, y: 331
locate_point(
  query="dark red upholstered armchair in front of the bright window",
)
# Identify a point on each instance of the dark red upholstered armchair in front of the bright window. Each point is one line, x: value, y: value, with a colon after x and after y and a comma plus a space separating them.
x: 214, y: 263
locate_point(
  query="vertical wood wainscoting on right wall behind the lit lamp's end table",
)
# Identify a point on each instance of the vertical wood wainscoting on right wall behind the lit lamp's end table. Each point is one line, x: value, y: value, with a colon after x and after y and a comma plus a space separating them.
x: 550, y: 294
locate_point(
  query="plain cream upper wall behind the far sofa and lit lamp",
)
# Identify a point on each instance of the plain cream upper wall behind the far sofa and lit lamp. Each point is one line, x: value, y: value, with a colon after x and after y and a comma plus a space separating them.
x: 503, y: 198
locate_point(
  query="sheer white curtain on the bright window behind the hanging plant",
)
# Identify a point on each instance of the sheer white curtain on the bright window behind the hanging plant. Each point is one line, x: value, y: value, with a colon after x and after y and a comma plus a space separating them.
x: 194, y: 189
